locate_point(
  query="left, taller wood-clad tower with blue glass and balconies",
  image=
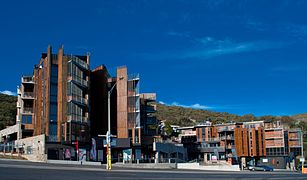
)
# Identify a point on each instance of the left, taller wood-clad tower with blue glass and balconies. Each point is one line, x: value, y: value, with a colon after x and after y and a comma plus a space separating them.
x: 54, y: 100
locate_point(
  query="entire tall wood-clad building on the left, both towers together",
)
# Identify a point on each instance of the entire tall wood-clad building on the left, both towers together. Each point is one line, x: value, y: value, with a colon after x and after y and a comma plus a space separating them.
x: 68, y: 103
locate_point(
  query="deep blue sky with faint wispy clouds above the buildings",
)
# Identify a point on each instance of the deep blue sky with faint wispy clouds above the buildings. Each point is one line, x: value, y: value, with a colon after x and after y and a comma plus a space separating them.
x: 232, y: 56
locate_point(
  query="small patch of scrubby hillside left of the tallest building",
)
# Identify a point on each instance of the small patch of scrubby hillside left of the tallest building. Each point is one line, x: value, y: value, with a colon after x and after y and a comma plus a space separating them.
x: 7, y: 110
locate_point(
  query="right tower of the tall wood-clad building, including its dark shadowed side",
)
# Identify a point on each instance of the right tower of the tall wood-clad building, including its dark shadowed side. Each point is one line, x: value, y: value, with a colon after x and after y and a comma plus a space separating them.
x: 127, y: 124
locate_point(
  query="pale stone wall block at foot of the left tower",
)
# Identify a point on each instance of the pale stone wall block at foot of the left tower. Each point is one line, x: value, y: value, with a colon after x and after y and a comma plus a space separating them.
x: 33, y: 148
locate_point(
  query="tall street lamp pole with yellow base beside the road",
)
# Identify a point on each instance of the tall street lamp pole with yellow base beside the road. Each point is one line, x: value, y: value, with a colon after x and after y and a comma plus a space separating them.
x: 108, y: 135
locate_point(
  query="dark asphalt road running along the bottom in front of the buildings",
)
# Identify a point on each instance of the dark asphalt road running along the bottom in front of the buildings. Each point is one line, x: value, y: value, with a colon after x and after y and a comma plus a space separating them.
x: 23, y: 170
